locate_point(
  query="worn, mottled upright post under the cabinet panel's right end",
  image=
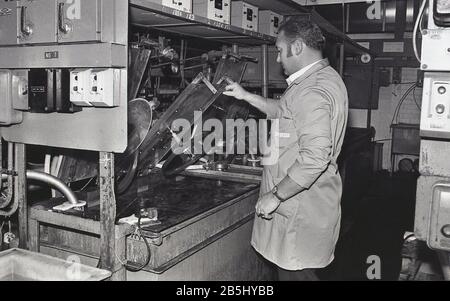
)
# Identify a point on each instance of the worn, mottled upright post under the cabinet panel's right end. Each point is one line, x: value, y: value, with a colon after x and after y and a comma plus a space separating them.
x: 108, y: 258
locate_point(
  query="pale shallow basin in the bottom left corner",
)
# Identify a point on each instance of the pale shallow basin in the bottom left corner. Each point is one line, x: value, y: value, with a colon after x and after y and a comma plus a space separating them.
x: 22, y: 265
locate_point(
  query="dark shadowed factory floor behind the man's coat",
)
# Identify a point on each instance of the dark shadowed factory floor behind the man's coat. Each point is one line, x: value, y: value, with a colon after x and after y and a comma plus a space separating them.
x: 374, y: 224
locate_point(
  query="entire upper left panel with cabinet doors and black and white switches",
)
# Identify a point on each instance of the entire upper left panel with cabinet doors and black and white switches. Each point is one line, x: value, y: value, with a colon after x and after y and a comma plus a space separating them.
x: 63, y: 73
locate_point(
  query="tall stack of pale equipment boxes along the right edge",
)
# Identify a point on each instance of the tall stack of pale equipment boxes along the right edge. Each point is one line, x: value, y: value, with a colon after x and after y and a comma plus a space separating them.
x: 432, y: 221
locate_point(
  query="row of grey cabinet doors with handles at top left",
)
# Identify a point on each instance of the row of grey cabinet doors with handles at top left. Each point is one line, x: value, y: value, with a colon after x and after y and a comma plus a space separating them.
x: 28, y: 22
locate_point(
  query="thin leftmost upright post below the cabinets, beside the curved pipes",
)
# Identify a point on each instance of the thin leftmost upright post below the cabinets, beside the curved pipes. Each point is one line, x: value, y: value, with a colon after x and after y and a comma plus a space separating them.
x: 20, y: 193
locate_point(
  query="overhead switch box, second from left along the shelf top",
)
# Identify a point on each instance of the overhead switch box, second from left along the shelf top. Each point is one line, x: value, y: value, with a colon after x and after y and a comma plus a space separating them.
x: 217, y: 10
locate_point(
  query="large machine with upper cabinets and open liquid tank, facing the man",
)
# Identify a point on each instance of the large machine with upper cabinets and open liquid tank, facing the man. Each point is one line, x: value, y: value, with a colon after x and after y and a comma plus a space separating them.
x: 93, y: 93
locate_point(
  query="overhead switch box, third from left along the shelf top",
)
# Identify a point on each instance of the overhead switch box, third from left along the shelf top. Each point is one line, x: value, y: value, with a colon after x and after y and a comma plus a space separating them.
x: 244, y: 15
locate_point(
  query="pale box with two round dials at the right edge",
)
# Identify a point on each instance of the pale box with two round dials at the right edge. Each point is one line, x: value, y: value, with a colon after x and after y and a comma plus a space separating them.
x: 435, y: 115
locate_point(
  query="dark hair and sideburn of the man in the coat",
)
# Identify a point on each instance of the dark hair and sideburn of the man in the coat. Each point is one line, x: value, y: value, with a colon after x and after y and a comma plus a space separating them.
x: 299, y: 27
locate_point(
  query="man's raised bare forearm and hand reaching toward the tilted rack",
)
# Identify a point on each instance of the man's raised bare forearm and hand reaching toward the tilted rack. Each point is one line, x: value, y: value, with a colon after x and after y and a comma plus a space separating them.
x: 270, y: 107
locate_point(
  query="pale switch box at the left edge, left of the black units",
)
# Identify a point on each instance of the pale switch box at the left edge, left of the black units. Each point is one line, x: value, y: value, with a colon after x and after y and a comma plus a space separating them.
x: 8, y: 115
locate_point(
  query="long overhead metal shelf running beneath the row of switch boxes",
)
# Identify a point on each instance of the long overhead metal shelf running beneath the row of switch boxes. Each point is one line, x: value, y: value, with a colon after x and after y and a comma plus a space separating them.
x: 151, y: 15
